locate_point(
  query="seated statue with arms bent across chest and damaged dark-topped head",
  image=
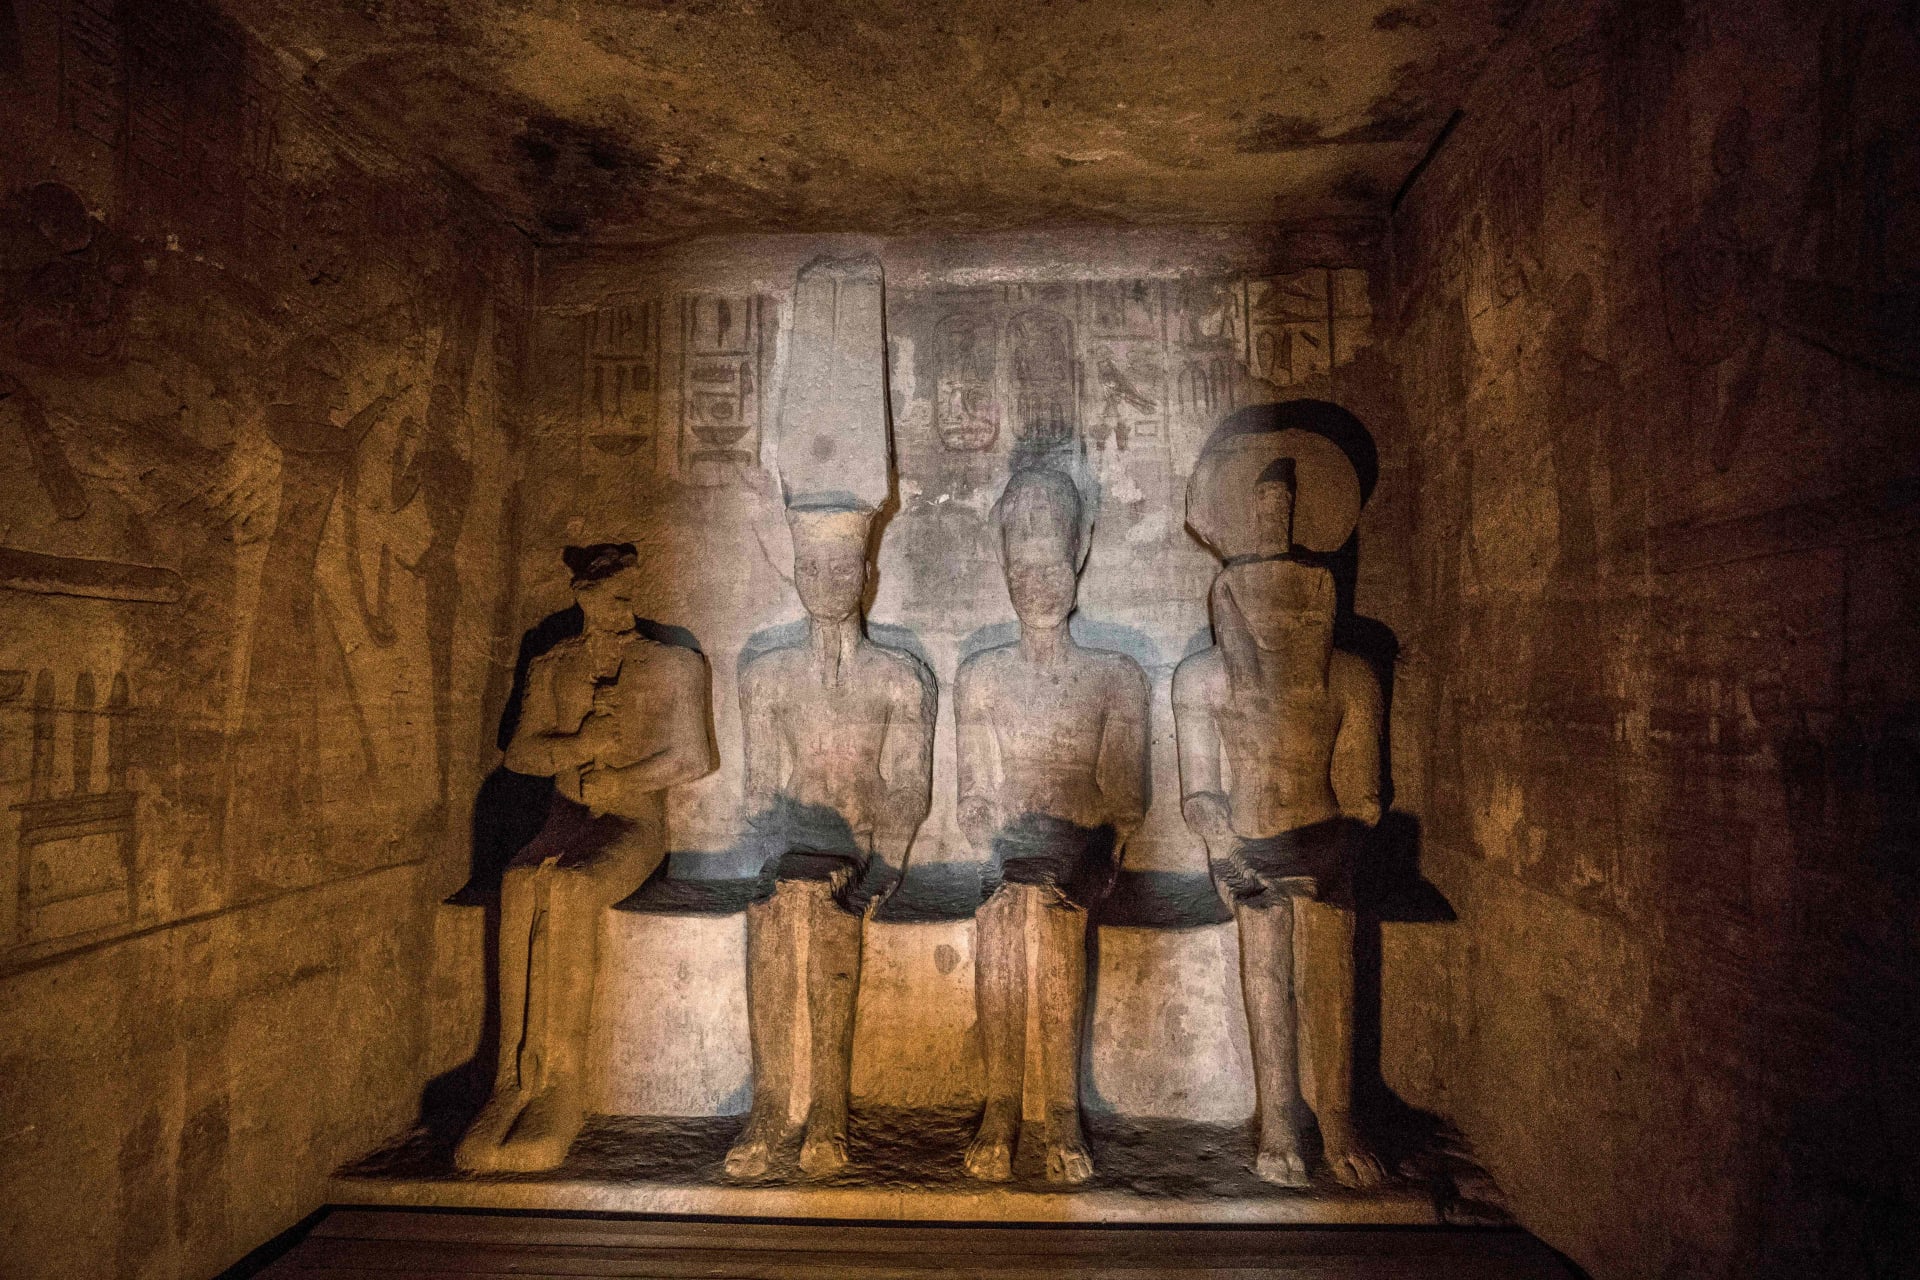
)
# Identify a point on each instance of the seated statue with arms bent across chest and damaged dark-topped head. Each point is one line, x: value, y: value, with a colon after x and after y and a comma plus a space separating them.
x: 615, y: 721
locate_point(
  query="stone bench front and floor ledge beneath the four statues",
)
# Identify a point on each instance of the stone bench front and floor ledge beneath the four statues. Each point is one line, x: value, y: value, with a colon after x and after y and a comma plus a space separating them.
x: 1166, y: 1087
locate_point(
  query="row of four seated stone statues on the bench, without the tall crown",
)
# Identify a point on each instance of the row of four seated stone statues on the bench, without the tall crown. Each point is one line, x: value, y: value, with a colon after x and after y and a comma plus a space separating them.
x: 1280, y: 767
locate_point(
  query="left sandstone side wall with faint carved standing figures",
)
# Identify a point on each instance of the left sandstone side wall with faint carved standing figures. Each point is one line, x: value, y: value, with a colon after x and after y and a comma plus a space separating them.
x: 241, y: 652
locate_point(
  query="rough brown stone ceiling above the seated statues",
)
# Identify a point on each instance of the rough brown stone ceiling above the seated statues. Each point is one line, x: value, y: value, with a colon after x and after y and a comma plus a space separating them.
x: 648, y: 120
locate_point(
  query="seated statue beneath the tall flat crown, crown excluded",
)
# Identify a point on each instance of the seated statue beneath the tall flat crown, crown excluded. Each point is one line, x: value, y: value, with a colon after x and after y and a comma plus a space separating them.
x: 840, y: 772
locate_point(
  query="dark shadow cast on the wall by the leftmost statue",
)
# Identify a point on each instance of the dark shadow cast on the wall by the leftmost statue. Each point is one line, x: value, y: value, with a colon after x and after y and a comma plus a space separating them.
x: 510, y: 813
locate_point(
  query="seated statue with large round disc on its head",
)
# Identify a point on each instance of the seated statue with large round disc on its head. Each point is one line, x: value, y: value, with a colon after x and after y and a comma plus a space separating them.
x: 1280, y: 744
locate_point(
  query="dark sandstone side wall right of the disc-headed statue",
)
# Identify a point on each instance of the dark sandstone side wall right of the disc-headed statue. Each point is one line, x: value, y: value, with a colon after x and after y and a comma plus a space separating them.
x: 1654, y: 321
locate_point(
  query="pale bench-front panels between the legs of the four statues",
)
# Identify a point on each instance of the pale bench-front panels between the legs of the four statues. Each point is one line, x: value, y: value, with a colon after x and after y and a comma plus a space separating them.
x: 671, y: 1020
